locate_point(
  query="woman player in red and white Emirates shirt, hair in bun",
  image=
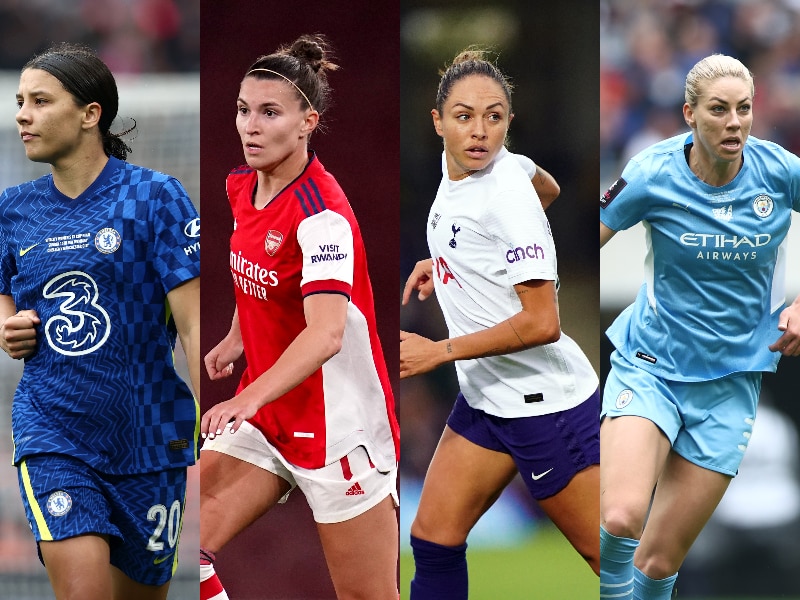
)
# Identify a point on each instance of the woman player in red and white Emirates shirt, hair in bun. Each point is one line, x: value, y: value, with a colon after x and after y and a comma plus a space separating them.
x: 314, y: 408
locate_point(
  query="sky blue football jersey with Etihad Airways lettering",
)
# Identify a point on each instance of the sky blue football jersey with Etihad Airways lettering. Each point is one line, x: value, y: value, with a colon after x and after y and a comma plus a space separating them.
x: 716, y: 260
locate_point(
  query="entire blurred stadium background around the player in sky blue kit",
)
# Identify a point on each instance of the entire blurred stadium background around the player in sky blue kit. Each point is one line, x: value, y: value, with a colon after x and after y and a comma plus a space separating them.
x: 751, y: 547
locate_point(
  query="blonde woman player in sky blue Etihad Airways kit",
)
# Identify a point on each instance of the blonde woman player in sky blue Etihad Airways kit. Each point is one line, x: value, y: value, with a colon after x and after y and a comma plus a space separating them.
x: 680, y: 399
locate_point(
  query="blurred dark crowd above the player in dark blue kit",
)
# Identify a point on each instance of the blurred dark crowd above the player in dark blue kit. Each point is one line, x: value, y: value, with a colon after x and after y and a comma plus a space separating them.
x: 131, y: 36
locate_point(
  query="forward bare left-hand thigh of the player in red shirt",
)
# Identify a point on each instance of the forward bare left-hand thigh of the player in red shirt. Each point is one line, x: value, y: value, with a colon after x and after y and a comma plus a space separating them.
x: 233, y: 494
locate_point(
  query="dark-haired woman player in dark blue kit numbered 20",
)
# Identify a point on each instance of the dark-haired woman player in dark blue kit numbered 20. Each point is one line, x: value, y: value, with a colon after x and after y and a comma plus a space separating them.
x: 95, y: 281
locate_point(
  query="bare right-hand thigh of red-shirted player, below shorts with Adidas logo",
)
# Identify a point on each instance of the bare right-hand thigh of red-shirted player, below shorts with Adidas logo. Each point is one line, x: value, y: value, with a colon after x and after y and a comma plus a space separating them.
x: 362, y: 553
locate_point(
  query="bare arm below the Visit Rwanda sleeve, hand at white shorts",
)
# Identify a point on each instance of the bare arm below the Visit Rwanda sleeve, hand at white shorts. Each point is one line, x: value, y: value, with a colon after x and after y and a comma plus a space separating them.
x: 326, y: 315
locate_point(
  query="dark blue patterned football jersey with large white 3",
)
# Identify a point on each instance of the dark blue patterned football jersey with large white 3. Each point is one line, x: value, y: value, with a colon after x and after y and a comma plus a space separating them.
x: 102, y: 386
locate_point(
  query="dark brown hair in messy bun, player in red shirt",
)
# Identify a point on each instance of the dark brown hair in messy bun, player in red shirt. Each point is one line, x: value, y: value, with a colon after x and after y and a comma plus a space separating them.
x: 304, y: 63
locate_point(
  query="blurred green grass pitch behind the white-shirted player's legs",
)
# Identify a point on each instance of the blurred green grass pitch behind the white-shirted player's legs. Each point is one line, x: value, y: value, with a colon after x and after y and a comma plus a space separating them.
x: 545, y: 568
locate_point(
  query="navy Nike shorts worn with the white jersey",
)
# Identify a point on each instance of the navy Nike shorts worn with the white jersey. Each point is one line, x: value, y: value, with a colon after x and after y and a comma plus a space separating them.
x: 549, y: 450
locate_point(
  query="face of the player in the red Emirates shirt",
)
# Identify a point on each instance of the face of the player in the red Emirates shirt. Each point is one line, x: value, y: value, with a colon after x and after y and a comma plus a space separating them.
x: 271, y: 123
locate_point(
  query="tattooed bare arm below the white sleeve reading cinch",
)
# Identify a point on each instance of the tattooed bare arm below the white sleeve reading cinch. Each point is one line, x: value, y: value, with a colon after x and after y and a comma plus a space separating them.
x: 535, y: 325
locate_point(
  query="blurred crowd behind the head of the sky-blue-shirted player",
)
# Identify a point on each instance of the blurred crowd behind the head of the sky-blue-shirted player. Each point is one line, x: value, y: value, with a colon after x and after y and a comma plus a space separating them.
x: 648, y: 46
